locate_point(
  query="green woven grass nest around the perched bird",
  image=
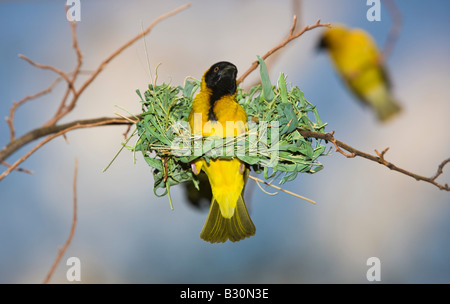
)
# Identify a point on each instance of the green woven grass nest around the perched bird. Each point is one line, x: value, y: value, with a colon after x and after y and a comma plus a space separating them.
x: 167, y: 145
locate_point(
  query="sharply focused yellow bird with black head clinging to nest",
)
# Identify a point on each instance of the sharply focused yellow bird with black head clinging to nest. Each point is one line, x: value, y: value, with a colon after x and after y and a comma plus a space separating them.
x: 213, y: 107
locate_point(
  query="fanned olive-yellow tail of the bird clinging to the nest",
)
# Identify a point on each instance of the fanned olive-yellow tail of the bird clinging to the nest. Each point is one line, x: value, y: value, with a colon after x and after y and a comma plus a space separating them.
x: 218, y: 229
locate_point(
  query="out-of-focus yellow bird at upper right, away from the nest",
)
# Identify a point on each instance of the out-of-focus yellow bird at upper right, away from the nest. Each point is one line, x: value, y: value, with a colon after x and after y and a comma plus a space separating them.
x: 358, y: 61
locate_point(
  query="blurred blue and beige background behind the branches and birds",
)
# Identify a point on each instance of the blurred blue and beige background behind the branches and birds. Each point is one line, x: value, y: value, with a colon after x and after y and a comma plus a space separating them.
x: 125, y: 234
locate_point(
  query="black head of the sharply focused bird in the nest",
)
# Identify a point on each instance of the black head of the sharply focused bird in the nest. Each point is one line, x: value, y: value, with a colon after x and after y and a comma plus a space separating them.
x: 221, y: 78
